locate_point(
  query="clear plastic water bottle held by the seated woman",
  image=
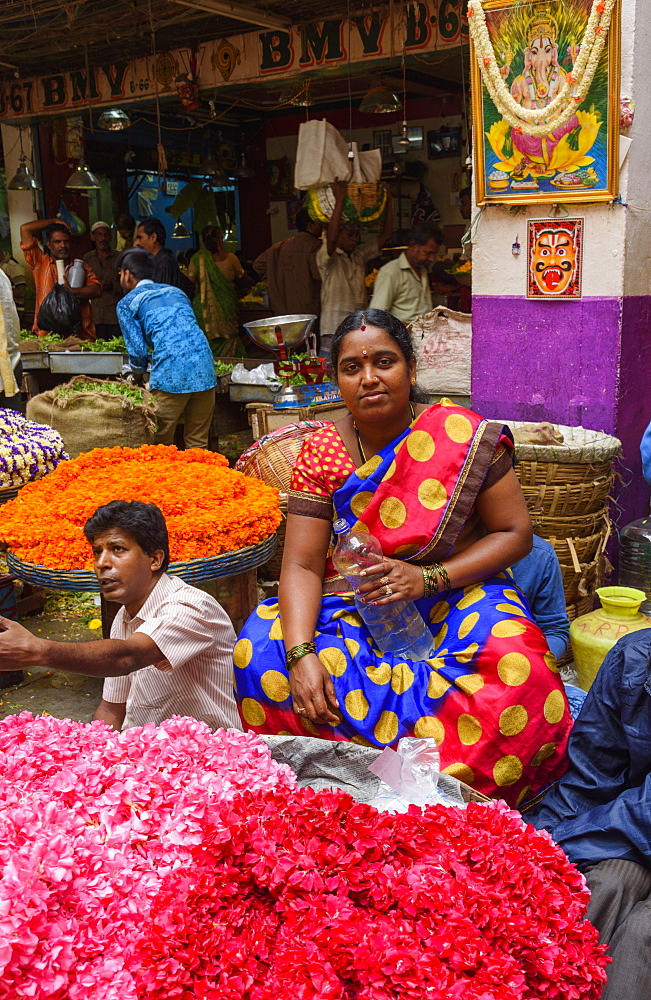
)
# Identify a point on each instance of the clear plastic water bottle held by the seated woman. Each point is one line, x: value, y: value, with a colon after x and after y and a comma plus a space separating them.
x: 396, y: 628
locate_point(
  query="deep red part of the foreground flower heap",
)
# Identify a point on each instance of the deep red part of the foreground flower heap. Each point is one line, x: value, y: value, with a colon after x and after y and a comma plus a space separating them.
x: 316, y: 896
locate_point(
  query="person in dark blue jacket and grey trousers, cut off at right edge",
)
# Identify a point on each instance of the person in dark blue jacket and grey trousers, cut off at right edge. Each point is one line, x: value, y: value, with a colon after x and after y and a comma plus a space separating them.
x: 600, y: 811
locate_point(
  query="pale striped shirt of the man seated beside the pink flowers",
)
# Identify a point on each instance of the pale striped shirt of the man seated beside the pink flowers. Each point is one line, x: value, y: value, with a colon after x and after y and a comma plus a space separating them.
x: 194, y: 633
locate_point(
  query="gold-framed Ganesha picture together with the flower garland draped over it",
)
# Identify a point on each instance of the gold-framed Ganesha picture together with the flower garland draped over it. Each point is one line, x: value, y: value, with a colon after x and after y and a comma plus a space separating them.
x: 545, y: 95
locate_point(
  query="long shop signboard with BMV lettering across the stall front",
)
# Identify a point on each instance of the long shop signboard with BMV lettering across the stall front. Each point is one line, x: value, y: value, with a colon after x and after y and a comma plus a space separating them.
x: 252, y: 57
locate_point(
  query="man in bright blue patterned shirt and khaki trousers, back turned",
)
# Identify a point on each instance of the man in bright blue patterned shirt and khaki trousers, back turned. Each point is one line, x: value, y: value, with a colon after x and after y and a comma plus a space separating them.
x: 159, y: 318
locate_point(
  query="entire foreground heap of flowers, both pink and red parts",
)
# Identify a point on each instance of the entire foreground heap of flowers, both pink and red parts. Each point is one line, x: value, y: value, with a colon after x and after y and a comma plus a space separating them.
x: 179, y: 864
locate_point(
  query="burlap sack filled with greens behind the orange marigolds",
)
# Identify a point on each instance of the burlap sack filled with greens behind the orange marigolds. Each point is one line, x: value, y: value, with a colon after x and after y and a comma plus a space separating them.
x: 95, y: 419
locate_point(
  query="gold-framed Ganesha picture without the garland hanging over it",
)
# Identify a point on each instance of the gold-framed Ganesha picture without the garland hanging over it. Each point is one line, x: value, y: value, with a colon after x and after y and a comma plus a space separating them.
x: 579, y: 162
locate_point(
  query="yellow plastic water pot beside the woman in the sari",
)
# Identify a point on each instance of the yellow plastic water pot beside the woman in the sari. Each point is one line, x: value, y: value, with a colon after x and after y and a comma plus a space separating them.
x: 593, y: 635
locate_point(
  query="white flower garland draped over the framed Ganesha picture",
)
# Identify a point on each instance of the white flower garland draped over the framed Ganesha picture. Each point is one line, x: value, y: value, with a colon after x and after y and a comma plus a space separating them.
x: 541, y: 121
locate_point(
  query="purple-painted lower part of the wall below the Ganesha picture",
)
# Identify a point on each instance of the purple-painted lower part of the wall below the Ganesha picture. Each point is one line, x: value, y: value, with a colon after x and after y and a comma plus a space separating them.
x: 584, y: 362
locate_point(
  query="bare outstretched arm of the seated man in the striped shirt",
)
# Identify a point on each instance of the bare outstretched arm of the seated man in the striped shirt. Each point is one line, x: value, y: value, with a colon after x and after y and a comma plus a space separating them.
x: 19, y: 649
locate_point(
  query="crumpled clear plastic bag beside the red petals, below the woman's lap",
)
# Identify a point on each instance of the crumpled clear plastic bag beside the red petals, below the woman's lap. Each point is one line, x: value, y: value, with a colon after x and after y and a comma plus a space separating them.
x: 411, y: 776
